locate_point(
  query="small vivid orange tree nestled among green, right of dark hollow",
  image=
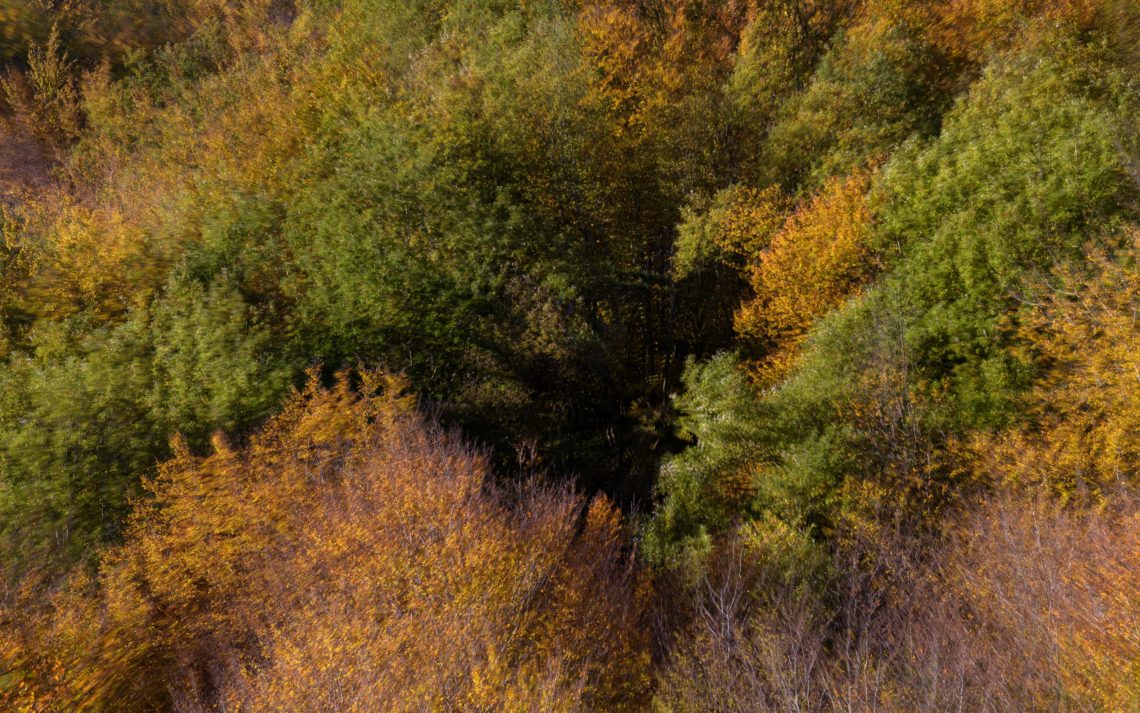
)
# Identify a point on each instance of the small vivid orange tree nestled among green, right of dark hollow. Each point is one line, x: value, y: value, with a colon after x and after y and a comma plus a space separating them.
x: 819, y: 260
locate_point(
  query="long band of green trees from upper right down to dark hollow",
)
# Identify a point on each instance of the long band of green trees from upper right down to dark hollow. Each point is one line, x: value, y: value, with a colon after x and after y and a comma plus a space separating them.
x: 1029, y: 167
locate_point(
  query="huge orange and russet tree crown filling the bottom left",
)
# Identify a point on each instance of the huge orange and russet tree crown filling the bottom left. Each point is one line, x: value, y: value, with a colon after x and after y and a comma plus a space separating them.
x: 352, y: 557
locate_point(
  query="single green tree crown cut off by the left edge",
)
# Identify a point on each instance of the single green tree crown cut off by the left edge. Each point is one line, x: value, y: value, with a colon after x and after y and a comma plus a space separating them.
x: 75, y: 434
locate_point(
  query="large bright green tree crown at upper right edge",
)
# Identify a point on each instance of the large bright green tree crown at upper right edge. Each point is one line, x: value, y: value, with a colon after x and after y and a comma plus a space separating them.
x: 1029, y: 168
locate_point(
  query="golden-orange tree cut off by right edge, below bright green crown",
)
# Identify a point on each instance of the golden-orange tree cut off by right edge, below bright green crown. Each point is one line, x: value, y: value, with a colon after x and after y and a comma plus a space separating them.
x: 1086, y: 406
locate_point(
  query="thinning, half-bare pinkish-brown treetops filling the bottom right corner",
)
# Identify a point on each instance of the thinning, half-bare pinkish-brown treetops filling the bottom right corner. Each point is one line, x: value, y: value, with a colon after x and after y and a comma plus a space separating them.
x: 1028, y: 609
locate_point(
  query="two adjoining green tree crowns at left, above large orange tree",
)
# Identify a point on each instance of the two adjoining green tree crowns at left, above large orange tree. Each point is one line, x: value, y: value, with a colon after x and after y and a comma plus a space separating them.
x: 89, y: 409
